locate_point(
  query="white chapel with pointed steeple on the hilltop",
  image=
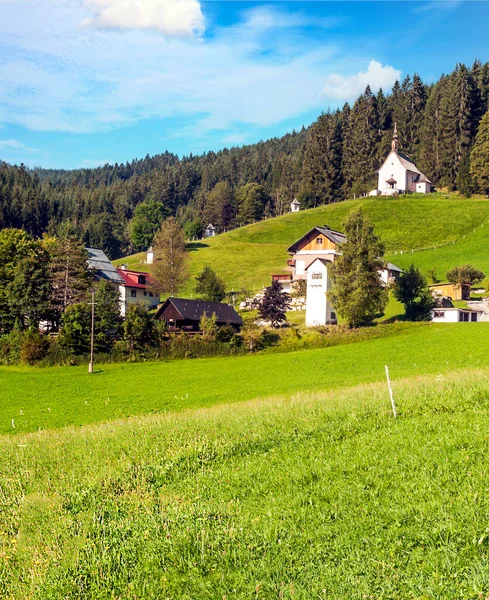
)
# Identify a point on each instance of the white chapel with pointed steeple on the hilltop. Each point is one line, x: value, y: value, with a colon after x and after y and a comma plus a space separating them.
x: 399, y: 174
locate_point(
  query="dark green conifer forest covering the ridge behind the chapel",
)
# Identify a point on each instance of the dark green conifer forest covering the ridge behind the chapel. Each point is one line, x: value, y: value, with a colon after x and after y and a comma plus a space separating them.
x: 120, y: 207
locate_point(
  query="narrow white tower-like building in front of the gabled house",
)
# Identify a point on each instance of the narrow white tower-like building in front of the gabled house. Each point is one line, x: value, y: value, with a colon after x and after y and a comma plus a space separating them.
x: 318, y: 309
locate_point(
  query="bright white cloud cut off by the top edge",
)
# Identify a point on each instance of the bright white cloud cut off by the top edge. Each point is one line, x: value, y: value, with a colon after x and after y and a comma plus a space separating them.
x: 171, y: 17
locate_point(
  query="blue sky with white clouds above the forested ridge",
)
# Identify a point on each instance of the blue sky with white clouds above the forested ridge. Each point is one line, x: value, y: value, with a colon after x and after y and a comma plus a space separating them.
x: 89, y: 82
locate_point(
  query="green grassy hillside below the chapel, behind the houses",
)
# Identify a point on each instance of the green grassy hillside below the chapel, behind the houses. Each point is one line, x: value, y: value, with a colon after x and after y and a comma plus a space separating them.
x: 246, y: 257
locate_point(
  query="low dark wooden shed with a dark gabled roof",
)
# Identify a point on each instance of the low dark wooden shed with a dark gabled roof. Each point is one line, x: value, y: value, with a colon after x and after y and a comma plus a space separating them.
x: 181, y: 314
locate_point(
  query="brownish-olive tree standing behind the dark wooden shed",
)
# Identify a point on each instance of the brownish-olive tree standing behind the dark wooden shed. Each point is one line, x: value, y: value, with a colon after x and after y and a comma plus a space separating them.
x: 170, y: 269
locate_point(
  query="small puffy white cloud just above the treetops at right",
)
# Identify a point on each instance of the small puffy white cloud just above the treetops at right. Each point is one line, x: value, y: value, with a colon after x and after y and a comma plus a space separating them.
x: 341, y: 87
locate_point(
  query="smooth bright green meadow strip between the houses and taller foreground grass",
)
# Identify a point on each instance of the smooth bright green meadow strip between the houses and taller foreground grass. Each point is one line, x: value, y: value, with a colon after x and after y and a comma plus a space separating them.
x: 72, y: 397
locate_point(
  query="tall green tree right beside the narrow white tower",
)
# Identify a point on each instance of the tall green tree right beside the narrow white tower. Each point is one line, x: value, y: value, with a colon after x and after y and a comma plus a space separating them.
x: 358, y: 294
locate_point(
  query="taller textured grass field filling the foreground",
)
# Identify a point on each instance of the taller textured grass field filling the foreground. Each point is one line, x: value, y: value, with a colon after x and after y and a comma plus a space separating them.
x: 319, y: 495
